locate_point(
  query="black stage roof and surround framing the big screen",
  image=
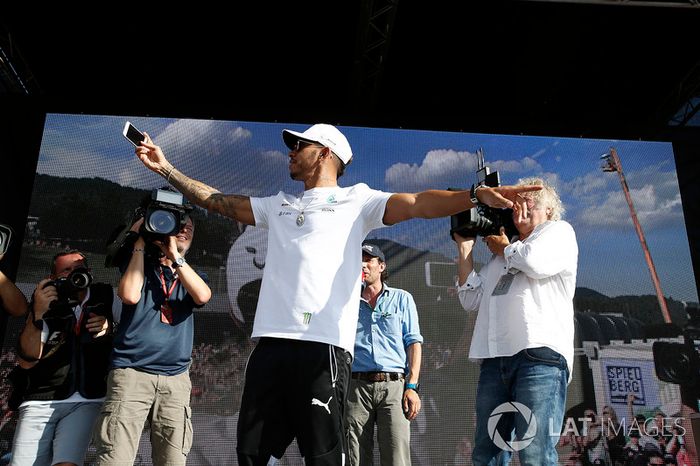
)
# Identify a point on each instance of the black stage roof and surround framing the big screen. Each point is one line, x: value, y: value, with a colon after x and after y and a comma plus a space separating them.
x: 603, y: 69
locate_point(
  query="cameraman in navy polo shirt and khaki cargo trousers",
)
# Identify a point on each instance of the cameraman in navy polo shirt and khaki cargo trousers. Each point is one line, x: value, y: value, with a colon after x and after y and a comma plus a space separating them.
x: 149, y: 378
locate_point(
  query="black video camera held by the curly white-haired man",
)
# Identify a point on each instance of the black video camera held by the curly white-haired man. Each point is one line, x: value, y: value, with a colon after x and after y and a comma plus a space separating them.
x: 483, y: 220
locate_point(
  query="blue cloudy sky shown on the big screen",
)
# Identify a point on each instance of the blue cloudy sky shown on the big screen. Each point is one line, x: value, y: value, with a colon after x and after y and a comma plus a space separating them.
x: 250, y: 158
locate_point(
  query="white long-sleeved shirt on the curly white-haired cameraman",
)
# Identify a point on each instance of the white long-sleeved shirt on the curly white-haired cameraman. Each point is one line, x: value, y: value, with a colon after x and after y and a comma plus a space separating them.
x: 537, y: 310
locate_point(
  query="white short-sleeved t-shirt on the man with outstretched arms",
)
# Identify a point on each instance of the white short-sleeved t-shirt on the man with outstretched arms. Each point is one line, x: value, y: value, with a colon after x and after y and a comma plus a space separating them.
x: 311, y: 283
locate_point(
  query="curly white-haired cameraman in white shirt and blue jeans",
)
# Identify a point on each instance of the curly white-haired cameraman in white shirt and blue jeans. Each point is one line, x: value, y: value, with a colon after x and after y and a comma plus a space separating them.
x: 524, y: 332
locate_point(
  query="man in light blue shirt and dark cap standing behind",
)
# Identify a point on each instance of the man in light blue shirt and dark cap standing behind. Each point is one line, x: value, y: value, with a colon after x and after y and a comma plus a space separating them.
x: 384, y: 383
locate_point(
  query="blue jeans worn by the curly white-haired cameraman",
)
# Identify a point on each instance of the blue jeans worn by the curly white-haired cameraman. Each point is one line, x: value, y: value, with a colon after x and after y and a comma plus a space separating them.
x: 535, y: 378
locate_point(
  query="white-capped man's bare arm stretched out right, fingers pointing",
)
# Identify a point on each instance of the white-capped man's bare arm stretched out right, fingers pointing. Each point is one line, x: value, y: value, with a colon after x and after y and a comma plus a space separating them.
x: 441, y: 203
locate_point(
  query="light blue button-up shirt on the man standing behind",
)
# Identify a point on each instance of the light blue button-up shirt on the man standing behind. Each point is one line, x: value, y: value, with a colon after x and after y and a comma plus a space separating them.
x: 384, y: 333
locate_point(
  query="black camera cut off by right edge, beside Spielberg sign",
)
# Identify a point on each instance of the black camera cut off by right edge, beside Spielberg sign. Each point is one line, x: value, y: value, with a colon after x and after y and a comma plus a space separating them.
x: 679, y: 363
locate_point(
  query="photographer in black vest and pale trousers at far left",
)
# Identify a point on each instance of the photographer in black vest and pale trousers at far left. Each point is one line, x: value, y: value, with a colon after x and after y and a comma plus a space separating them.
x: 64, y: 349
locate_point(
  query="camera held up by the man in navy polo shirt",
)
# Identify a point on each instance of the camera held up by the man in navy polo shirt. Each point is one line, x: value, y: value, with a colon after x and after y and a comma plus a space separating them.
x: 164, y: 214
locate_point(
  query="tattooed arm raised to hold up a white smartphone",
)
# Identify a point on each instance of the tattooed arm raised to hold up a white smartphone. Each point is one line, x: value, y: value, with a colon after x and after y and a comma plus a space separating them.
x: 230, y: 205
